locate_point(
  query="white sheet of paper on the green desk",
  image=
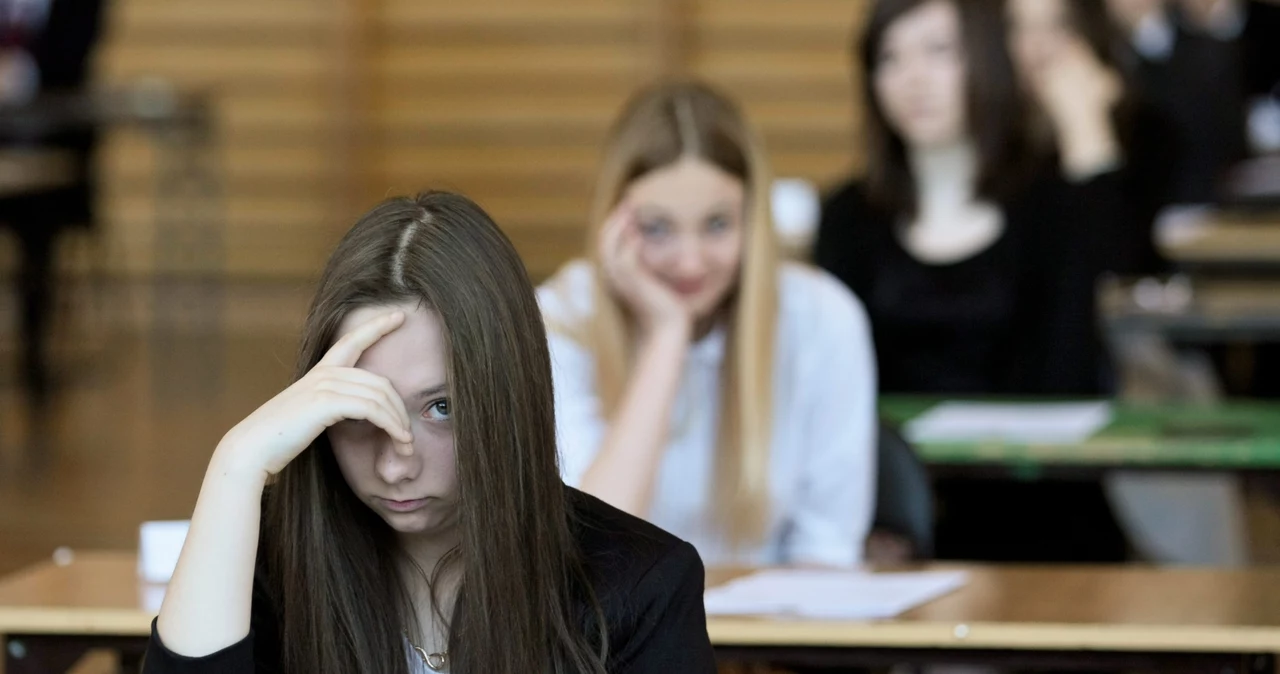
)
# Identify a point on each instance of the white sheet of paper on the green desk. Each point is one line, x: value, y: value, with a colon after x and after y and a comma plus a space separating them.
x: 1013, y: 423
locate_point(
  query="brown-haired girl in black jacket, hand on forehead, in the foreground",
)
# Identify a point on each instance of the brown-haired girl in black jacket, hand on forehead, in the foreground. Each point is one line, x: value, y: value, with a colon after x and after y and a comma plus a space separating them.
x: 399, y: 510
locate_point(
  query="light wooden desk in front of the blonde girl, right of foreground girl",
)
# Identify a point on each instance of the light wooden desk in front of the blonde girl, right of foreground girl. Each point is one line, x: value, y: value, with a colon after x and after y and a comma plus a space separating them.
x: 1072, y: 617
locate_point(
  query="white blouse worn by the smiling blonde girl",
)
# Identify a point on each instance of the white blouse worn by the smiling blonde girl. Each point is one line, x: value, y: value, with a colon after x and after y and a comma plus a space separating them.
x: 822, y: 476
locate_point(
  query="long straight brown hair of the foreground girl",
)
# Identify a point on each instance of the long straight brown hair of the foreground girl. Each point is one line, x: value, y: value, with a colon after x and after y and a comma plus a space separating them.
x: 519, y: 609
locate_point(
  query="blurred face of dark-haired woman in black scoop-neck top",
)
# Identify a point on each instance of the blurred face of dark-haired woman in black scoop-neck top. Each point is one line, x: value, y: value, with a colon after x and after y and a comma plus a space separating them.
x: 921, y: 76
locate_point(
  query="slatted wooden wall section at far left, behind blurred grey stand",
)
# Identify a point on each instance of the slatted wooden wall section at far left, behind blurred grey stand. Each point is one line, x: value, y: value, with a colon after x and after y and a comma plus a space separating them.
x: 268, y: 68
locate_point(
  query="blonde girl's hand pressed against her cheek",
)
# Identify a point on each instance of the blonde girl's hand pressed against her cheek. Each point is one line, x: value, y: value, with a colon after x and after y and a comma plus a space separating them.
x: 653, y: 304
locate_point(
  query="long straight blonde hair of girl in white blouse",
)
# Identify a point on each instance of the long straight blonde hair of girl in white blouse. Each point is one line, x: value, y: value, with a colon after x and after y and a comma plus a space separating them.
x: 657, y: 129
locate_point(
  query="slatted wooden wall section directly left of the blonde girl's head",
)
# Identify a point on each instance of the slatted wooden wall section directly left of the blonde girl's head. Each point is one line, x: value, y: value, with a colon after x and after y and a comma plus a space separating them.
x: 508, y: 103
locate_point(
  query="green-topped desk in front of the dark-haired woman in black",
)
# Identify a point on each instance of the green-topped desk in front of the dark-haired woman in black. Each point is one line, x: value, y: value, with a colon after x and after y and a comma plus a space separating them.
x: 1229, y: 437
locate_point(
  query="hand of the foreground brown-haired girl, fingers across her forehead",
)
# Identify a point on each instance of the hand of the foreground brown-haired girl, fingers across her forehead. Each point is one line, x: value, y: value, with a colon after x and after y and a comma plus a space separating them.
x: 335, y: 391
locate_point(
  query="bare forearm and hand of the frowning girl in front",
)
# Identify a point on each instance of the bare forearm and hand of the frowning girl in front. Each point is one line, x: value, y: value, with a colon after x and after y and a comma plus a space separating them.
x: 209, y: 602
